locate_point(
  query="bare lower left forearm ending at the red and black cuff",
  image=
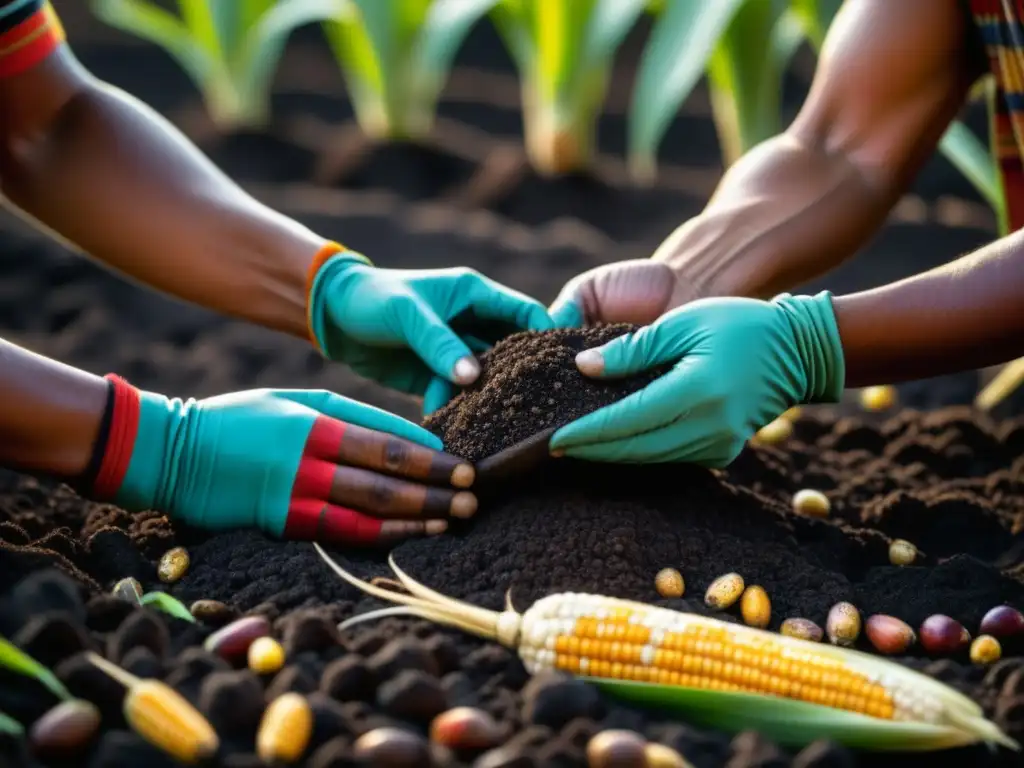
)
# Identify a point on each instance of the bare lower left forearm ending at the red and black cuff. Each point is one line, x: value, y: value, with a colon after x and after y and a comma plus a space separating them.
x: 50, y: 413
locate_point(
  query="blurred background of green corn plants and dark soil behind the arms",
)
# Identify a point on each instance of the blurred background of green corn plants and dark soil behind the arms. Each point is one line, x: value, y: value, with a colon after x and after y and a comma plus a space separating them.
x: 531, y: 140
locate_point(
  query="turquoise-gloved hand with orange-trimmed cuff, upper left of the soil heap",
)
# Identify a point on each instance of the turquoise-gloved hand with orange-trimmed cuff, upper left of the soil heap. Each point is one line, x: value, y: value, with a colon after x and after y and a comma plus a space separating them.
x: 404, y: 327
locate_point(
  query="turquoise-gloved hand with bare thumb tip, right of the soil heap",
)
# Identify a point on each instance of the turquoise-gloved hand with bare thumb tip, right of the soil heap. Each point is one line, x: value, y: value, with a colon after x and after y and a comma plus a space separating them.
x: 739, y: 364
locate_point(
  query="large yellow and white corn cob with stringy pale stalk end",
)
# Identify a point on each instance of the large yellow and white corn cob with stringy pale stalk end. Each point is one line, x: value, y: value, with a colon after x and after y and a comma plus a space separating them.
x: 612, y: 639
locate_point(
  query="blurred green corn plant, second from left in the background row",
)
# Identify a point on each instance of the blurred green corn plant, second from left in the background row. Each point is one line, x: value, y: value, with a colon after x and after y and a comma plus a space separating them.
x: 396, y: 57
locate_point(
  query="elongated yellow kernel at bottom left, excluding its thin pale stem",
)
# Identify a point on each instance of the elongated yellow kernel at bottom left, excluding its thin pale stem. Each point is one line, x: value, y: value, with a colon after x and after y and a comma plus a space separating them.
x: 164, y: 718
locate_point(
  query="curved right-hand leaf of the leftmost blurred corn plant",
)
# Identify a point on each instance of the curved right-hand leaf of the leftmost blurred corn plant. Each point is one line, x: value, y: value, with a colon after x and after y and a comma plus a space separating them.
x: 266, y: 39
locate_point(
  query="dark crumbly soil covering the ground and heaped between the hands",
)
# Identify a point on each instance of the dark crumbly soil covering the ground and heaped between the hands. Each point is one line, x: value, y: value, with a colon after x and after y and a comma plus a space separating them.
x: 950, y: 481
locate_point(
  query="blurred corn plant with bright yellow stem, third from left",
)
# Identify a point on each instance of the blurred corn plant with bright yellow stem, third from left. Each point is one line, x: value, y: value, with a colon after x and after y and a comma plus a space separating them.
x: 564, y: 51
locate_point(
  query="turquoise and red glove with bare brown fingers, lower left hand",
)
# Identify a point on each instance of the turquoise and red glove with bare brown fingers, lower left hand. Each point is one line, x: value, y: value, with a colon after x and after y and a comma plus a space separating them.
x: 296, y: 464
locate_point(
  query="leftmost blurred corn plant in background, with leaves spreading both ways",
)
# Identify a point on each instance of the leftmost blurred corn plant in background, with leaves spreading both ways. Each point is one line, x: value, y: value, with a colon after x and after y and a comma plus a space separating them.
x: 229, y: 49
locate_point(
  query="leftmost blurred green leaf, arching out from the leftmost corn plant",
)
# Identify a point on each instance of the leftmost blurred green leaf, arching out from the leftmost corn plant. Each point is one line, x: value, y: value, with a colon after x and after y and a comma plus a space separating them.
x: 151, y: 23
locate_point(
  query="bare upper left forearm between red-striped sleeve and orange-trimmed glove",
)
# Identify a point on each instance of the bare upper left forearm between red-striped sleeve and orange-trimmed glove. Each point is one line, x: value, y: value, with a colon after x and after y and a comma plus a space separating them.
x: 116, y: 180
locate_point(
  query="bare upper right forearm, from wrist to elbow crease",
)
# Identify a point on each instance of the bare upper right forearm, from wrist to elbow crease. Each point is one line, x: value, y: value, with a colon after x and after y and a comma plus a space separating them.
x: 784, y: 215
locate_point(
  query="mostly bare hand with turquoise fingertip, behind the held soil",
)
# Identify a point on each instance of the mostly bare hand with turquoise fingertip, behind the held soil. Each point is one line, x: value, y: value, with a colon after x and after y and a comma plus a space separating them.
x: 637, y: 291
